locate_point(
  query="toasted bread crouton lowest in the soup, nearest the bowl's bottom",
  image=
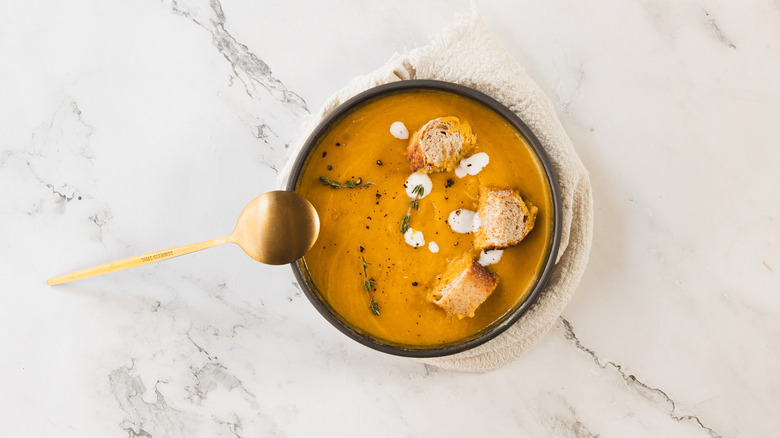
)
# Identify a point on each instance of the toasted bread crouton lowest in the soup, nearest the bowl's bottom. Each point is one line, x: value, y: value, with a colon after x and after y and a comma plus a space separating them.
x: 463, y: 287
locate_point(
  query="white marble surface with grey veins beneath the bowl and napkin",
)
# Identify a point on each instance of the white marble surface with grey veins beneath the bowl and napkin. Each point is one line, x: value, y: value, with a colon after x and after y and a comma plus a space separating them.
x: 128, y: 127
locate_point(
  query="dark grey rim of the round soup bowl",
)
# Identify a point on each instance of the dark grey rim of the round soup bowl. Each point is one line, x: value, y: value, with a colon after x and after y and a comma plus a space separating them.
x: 512, y: 316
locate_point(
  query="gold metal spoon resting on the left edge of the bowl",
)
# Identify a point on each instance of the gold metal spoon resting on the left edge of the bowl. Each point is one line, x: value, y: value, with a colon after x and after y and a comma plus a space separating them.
x: 275, y: 228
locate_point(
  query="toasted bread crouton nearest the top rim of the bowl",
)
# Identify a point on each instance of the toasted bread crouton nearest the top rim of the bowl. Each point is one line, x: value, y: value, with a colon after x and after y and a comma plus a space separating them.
x: 440, y: 144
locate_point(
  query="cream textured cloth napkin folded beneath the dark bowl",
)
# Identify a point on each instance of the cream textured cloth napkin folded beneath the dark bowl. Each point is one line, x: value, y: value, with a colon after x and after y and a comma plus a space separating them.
x: 467, y: 53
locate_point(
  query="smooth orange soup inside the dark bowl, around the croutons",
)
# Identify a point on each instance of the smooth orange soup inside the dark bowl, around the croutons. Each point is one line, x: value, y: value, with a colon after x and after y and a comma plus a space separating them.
x: 364, y: 223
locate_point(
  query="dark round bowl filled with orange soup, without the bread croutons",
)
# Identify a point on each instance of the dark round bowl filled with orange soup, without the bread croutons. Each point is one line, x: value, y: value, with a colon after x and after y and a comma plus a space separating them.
x: 367, y: 274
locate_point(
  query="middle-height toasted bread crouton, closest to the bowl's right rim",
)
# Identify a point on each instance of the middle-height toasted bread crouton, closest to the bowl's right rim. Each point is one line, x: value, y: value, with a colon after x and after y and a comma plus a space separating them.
x: 504, y: 218
